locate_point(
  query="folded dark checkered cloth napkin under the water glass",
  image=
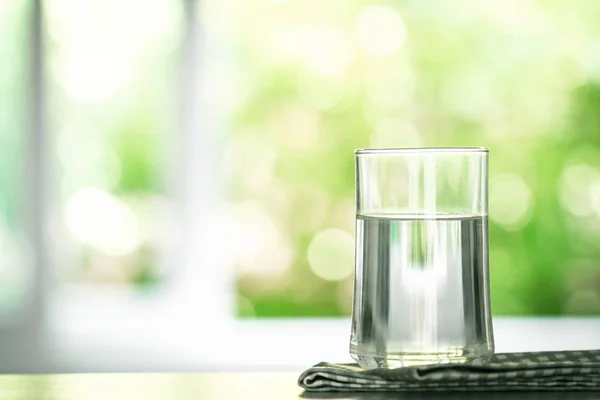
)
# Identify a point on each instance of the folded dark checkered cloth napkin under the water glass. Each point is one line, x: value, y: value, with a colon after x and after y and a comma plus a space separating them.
x: 550, y: 370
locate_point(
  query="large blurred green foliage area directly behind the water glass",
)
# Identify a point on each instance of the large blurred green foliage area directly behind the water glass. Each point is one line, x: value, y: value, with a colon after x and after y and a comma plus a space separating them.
x: 317, y: 80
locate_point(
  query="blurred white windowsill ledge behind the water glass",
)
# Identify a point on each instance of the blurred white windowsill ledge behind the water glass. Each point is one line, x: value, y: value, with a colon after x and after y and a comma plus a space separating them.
x: 252, y: 346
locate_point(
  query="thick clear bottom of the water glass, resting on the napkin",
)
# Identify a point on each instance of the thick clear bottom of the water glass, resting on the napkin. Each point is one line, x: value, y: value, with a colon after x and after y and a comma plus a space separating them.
x: 479, y: 353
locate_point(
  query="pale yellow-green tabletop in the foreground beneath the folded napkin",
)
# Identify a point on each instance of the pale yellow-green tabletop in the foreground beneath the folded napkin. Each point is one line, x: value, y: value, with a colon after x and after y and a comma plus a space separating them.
x: 259, y: 386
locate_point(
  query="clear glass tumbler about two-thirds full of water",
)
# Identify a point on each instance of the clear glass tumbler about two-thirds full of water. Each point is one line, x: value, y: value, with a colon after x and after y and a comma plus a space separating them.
x: 421, y: 289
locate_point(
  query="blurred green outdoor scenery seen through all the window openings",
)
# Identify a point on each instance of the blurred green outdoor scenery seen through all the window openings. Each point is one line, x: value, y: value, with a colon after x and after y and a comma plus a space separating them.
x: 301, y: 85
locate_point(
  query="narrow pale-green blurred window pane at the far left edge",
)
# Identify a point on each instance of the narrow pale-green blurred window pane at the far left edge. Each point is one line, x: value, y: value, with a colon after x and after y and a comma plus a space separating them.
x: 15, y: 255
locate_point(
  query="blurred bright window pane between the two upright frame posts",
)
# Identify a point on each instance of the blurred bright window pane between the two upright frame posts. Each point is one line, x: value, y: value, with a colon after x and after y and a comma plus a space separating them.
x: 112, y: 86
